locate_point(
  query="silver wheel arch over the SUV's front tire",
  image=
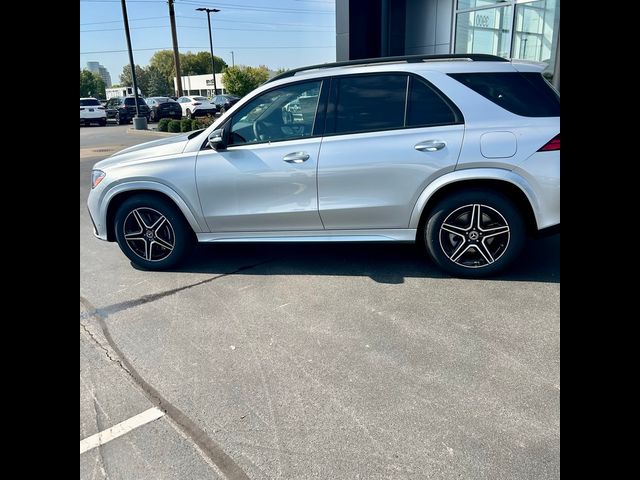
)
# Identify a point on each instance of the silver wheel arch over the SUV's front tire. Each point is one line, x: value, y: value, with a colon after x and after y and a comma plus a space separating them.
x: 120, y: 195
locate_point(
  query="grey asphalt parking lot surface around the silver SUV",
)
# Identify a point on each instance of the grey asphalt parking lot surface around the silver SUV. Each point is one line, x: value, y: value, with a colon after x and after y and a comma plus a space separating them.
x: 305, y: 361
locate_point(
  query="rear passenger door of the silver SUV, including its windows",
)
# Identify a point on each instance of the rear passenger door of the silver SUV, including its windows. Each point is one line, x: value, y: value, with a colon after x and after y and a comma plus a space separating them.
x: 388, y: 135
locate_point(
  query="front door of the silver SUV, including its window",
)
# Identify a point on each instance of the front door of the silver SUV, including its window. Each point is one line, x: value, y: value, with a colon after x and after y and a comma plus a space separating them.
x: 266, y: 178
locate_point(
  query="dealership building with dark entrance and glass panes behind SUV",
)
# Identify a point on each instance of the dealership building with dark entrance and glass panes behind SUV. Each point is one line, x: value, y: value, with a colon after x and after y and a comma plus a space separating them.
x: 519, y: 29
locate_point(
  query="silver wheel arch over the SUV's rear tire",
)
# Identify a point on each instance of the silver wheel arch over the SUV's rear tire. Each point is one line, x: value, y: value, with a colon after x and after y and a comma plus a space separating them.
x: 502, y: 181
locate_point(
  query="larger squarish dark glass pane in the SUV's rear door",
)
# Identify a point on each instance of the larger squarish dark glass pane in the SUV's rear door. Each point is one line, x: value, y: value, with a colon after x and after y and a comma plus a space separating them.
x: 370, y: 102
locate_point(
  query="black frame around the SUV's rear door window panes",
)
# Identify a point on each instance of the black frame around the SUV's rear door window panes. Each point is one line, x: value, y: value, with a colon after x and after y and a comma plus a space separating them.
x: 329, y: 130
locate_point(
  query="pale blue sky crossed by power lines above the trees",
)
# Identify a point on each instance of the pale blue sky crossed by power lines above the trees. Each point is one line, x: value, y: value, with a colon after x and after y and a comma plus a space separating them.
x: 275, y: 33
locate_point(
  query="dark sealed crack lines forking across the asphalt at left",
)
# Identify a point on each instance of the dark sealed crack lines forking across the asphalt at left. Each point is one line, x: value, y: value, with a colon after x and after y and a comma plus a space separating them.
x: 211, y: 449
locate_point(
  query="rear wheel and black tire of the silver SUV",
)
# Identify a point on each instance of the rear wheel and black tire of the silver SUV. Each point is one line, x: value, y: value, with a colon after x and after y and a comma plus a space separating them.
x: 464, y: 247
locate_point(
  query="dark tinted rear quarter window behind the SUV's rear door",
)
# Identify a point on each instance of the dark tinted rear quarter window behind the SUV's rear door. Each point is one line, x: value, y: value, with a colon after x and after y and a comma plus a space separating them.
x: 526, y: 94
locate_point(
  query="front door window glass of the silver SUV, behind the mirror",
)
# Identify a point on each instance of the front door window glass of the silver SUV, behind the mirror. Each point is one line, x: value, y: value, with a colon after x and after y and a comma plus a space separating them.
x: 285, y: 113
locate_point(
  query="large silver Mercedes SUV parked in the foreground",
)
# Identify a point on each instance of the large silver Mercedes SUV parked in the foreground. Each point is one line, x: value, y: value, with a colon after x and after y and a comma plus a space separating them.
x: 460, y: 153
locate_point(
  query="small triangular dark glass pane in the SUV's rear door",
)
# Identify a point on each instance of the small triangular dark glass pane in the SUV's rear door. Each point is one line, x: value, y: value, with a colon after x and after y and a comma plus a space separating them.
x: 427, y: 108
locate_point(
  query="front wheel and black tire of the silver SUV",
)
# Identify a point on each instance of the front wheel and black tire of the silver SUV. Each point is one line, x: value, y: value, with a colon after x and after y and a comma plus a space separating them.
x: 150, y: 251
